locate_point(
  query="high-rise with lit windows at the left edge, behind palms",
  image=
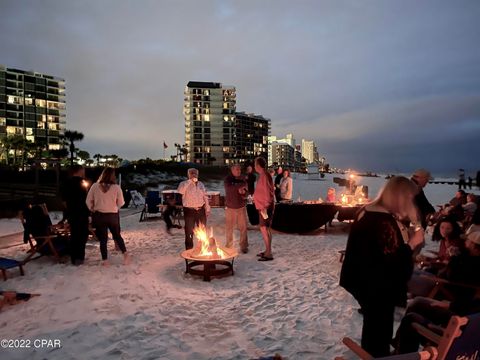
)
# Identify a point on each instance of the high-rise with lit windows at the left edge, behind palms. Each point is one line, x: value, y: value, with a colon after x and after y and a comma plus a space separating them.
x: 32, y: 105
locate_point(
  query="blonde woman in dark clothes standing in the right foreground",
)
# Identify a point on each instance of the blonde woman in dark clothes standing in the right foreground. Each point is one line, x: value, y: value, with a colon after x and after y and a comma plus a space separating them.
x: 379, y: 260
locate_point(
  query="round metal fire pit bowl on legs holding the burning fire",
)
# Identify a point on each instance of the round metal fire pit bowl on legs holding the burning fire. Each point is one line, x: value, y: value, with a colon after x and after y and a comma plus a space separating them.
x: 207, y: 267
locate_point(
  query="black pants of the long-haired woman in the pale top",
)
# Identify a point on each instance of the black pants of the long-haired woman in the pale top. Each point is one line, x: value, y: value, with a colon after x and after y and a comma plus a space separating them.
x: 104, y: 222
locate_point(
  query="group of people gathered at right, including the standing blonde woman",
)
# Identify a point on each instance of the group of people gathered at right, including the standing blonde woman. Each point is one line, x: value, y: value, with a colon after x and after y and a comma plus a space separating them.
x: 383, y: 265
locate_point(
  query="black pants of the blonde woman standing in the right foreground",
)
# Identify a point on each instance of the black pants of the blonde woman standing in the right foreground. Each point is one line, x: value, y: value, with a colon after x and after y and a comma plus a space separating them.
x: 377, y: 328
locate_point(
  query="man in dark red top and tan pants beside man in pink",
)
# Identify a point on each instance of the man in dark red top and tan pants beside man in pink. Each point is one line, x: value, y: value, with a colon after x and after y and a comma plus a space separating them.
x: 235, y: 211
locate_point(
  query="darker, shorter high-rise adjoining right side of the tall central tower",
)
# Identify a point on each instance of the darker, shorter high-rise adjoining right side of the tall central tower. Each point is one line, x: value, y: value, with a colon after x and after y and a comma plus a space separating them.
x: 251, y: 136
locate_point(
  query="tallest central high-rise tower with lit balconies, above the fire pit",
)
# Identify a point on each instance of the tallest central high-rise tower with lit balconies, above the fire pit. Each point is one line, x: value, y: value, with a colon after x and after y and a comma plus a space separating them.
x: 209, y: 112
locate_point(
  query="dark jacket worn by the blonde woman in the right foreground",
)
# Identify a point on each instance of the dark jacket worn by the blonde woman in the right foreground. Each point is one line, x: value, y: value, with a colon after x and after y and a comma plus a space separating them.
x: 378, y: 263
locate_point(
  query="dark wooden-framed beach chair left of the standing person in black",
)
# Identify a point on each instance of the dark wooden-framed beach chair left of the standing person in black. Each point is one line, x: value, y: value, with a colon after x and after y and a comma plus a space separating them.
x: 40, y: 235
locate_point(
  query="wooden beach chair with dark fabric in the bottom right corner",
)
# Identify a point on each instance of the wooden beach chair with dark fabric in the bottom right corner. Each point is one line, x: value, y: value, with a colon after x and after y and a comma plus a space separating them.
x: 459, y: 340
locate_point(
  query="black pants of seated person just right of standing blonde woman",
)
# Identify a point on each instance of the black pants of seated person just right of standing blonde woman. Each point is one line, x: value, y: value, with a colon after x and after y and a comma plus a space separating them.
x: 423, y: 312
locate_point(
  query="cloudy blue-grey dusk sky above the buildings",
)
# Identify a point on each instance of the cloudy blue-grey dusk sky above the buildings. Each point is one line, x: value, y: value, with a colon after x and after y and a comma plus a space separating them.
x: 379, y: 85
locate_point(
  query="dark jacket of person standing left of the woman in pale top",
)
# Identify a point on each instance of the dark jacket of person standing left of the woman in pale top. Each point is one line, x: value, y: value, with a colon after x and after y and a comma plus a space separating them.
x: 74, y: 194
